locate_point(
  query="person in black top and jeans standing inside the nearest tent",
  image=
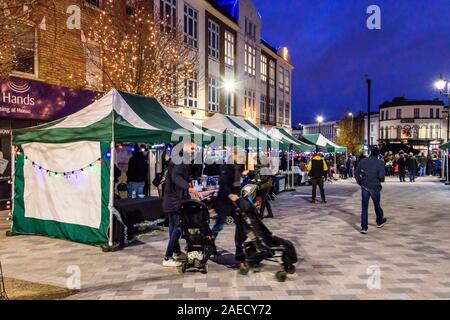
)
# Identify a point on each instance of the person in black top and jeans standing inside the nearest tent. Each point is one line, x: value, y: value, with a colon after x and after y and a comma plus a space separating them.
x: 137, y: 173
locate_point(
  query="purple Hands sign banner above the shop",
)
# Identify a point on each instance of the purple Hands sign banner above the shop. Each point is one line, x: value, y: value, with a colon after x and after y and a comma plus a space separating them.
x: 34, y: 100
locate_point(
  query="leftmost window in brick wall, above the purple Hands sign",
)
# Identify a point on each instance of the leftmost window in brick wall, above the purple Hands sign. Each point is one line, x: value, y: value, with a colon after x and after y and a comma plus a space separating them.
x: 24, y: 53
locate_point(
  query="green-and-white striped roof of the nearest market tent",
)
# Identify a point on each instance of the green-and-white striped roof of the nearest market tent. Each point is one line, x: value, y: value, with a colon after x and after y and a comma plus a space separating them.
x: 117, y: 116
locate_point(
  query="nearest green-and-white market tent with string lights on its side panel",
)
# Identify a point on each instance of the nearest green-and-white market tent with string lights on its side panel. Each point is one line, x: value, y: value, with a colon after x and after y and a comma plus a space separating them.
x: 63, y: 182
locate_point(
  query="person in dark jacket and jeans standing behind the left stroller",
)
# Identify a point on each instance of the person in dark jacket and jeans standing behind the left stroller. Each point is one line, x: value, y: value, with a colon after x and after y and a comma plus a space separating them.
x: 177, y: 189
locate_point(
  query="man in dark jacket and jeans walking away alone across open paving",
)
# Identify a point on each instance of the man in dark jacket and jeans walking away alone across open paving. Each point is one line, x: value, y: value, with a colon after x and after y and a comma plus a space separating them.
x: 369, y: 174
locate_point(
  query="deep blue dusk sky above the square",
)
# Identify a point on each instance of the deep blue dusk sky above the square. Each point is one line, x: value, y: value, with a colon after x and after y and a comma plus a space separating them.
x: 332, y: 50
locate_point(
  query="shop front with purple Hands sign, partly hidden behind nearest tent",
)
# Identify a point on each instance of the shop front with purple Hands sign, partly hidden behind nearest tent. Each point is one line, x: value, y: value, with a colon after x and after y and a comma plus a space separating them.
x: 25, y: 103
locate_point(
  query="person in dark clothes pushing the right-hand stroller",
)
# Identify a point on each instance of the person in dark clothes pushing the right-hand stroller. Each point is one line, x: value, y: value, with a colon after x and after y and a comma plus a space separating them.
x: 229, y: 190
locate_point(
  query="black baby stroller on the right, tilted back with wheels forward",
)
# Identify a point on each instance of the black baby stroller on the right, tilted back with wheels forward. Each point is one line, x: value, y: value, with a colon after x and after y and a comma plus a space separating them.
x: 260, y: 243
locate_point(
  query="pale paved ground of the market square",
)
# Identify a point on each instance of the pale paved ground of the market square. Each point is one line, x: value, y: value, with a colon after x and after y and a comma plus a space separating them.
x: 411, y: 254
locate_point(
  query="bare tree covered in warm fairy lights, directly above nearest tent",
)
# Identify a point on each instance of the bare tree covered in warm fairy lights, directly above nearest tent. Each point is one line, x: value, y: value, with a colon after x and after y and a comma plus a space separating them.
x: 141, y: 52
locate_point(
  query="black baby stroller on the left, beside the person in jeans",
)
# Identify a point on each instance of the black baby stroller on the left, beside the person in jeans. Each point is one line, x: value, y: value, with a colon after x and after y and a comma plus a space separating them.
x: 198, y: 235
